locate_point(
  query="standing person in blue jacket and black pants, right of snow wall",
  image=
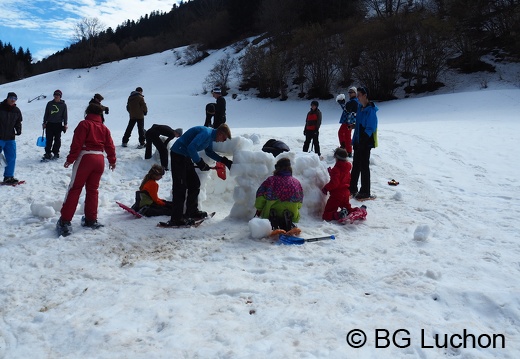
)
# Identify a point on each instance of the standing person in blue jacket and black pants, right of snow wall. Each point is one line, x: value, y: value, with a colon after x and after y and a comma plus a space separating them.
x: 363, y: 140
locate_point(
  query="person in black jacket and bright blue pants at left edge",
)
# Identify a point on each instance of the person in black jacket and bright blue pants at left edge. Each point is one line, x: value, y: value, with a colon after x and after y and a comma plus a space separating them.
x: 10, y: 126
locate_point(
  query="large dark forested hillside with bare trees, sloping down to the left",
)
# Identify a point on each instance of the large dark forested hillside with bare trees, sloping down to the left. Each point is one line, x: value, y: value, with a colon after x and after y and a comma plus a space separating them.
x: 316, y: 44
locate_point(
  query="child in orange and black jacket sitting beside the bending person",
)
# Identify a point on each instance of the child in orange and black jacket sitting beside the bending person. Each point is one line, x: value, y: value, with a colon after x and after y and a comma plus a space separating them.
x: 148, y: 202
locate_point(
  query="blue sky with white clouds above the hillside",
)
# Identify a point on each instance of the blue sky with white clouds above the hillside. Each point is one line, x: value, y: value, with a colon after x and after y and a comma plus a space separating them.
x: 45, y: 27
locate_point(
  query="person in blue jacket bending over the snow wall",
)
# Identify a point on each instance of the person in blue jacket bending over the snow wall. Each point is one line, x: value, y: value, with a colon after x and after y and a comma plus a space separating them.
x: 184, y: 154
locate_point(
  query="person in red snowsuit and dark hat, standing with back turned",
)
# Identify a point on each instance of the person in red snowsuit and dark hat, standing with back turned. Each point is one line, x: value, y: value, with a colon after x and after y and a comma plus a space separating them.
x: 91, y: 138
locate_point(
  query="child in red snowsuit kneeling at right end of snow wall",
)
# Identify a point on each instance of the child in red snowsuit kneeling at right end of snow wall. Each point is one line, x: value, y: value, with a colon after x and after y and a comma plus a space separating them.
x: 338, y: 187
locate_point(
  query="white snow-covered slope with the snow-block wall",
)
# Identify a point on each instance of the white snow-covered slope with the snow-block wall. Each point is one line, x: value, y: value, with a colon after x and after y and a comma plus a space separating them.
x: 436, y: 262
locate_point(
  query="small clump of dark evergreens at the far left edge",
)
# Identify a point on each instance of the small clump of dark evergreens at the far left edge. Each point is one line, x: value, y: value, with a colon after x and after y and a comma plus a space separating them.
x: 14, y: 64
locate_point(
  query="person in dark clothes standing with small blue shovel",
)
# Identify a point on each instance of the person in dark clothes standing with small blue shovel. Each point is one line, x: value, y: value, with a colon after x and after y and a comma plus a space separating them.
x: 54, y: 122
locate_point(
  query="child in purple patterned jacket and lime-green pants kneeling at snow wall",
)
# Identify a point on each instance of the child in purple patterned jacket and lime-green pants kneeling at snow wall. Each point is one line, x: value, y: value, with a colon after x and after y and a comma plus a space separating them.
x: 279, y: 198
